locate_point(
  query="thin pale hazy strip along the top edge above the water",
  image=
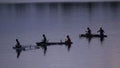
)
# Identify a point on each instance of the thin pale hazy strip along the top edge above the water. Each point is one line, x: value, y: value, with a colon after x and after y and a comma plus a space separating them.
x: 14, y: 1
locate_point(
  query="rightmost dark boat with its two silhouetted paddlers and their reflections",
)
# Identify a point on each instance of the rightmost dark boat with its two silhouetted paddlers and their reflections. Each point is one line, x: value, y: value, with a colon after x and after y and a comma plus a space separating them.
x: 88, y: 35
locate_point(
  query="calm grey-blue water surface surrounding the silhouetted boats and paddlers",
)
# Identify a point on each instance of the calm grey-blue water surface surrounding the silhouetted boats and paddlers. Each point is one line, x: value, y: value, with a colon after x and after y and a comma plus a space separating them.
x: 28, y: 22
